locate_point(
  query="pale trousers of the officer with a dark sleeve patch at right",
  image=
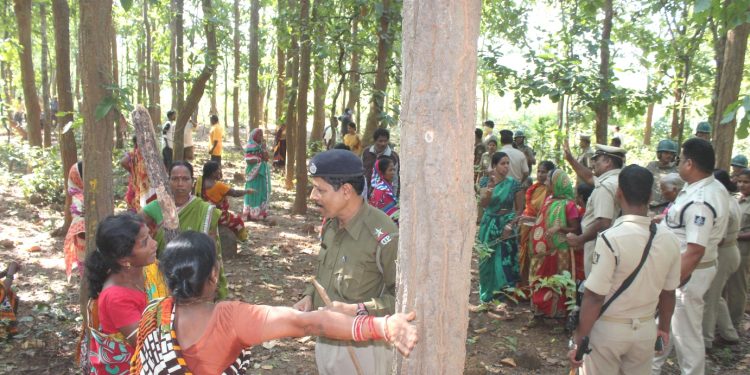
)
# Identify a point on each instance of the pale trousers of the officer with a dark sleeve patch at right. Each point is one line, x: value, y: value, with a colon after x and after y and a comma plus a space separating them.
x: 687, y: 325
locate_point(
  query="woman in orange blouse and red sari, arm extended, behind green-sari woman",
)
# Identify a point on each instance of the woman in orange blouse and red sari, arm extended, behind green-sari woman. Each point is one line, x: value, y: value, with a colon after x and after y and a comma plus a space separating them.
x: 212, y: 190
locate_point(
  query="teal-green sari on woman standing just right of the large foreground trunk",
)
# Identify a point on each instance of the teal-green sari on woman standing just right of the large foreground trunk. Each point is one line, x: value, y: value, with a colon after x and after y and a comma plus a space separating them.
x: 500, y: 269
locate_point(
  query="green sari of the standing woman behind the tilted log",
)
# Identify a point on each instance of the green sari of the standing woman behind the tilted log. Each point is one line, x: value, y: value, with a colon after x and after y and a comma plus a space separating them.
x: 196, y: 215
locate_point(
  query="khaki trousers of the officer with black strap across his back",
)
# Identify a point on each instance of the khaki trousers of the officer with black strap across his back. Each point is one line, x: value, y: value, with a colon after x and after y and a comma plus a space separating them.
x: 620, y: 348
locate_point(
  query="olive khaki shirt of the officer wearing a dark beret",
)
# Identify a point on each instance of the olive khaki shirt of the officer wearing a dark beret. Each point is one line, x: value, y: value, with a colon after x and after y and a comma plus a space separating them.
x: 347, y: 269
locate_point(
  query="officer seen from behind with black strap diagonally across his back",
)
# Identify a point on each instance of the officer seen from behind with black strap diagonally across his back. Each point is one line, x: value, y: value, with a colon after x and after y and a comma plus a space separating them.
x: 623, y: 338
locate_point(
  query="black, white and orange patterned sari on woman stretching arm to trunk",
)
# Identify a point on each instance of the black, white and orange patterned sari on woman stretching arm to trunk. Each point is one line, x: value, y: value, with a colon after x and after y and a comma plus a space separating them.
x: 158, y: 352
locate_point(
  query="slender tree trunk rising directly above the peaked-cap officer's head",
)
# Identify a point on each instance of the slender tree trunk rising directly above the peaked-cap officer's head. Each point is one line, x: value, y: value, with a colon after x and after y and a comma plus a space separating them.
x: 602, y: 106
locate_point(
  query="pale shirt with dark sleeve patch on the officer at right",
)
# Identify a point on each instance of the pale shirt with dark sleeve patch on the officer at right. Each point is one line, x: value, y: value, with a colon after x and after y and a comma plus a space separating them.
x: 699, y: 216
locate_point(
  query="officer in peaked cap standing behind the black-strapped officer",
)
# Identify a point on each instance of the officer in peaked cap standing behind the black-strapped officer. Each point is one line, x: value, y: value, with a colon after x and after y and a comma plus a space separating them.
x: 601, y: 208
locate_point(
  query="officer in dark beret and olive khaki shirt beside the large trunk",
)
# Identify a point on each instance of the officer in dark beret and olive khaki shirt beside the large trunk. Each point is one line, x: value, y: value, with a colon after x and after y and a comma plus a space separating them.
x: 357, y: 260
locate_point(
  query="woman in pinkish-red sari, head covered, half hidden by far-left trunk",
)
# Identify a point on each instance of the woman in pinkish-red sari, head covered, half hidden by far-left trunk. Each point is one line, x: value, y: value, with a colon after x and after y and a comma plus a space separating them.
x: 74, y: 246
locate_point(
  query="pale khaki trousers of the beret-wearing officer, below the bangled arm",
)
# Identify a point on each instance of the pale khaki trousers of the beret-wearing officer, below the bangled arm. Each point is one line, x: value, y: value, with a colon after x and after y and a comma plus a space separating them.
x: 333, y: 358
